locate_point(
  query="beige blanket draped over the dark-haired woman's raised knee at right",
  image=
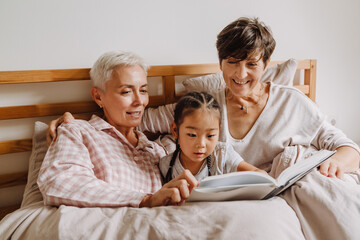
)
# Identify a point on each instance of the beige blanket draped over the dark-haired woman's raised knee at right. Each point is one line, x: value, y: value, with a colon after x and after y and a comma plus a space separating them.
x: 327, y: 208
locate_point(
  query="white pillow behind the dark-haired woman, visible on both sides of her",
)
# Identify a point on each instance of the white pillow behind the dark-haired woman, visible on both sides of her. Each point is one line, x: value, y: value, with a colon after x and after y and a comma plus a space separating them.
x: 282, y: 74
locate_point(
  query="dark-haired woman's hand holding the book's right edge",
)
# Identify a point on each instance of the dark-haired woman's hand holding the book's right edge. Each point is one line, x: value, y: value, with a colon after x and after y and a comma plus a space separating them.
x: 346, y: 159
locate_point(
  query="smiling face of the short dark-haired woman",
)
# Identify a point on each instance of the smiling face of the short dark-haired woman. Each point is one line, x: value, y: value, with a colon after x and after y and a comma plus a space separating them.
x: 241, y: 77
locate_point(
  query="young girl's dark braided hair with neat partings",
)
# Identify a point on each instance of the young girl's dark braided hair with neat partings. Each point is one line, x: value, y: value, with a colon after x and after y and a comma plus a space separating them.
x: 187, y: 104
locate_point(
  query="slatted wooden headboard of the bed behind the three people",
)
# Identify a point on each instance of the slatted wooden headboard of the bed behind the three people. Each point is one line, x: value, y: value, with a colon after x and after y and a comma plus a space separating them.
x: 167, y: 73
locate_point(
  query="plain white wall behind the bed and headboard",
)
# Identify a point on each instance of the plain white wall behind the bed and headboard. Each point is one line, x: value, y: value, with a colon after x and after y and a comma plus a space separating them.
x: 43, y: 34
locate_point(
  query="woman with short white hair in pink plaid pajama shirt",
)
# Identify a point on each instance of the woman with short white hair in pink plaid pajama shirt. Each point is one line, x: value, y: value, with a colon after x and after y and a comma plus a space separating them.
x: 105, y: 162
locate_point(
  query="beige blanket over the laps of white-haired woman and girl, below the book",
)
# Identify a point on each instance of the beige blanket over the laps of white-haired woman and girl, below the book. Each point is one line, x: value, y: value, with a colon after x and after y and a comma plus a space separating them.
x: 203, y: 220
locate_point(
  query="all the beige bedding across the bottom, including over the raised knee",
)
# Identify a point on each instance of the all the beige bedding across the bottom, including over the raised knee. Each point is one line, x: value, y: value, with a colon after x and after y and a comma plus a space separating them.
x: 316, y: 207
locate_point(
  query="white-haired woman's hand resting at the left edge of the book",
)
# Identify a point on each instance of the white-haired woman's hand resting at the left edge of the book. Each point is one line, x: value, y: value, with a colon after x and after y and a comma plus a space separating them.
x: 174, y: 192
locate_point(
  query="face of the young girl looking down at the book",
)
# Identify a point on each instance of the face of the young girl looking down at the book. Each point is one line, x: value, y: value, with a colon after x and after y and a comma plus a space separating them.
x: 197, y: 136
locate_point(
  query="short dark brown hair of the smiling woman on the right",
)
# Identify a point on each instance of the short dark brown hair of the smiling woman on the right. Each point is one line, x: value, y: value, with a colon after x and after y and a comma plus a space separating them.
x: 243, y: 38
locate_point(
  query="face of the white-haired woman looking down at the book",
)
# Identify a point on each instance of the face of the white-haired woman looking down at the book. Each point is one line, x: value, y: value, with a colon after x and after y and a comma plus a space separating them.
x: 125, y: 97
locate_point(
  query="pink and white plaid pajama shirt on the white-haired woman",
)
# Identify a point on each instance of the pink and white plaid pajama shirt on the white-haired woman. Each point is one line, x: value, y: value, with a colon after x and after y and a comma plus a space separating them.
x: 91, y: 164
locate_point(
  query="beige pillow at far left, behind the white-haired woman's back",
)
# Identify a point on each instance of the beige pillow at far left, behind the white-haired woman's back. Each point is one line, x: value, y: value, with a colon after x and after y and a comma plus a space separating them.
x: 32, y: 193
